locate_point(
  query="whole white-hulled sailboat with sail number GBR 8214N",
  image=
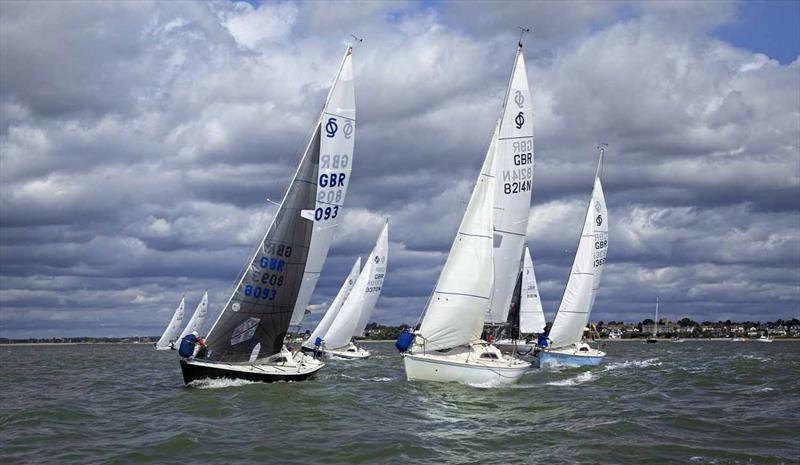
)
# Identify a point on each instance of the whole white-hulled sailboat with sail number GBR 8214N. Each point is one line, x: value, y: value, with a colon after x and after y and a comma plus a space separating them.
x: 482, y: 266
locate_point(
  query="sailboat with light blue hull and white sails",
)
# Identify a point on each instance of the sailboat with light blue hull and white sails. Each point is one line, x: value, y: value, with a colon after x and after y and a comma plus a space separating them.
x: 565, y: 344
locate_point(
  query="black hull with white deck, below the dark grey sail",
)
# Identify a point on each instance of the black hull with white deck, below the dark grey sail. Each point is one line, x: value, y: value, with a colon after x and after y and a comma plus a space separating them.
x: 194, y: 370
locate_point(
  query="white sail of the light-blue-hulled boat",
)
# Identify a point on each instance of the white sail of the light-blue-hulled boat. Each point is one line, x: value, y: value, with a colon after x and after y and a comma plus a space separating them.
x: 587, y: 268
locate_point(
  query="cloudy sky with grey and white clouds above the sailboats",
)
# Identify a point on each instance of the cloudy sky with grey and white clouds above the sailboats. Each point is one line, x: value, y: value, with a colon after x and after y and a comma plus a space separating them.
x: 140, y: 143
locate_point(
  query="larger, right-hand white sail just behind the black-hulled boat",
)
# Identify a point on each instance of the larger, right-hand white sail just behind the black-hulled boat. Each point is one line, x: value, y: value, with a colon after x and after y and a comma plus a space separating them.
x: 358, y: 306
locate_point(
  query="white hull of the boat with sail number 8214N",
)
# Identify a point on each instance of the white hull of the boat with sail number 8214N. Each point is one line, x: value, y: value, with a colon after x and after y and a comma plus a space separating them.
x: 464, y: 365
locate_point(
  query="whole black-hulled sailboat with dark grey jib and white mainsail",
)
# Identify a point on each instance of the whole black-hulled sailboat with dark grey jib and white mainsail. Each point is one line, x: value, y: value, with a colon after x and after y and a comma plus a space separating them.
x: 247, y: 339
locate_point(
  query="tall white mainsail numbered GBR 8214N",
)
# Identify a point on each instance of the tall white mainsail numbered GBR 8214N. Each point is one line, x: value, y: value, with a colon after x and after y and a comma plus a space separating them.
x: 513, y: 184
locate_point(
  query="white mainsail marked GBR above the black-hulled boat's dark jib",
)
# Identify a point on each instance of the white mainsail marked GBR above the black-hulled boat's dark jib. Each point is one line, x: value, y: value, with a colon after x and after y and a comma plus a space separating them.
x: 335, y: 163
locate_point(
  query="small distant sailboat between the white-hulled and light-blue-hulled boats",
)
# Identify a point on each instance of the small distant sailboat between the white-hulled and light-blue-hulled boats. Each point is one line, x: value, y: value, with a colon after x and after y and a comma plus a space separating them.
x: 526, y: 316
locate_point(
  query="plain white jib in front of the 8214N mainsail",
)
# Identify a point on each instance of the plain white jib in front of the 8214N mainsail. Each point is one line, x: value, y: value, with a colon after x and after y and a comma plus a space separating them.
x: 456, y: 310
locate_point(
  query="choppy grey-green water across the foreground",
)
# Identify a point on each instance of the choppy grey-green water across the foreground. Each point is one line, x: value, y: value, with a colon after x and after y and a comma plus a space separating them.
x: 696, y: 402
